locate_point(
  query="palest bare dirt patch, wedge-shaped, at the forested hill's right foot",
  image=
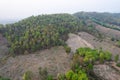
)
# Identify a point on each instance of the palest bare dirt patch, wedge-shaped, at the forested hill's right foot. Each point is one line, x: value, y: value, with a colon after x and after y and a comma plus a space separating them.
x: 76, y: 42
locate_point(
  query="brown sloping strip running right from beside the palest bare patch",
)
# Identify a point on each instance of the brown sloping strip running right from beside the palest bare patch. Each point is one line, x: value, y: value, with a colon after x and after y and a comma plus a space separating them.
x: 100, y: 44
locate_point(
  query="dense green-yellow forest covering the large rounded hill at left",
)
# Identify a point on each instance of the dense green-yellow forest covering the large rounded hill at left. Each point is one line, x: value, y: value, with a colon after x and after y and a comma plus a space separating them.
x: 40, y: 32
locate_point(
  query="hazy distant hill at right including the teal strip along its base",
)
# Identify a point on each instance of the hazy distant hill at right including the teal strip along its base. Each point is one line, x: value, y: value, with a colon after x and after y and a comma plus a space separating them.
x: 109, y: 20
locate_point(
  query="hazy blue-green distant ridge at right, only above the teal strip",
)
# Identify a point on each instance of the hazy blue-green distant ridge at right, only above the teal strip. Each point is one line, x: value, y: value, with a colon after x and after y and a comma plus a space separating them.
x: 111, y: 18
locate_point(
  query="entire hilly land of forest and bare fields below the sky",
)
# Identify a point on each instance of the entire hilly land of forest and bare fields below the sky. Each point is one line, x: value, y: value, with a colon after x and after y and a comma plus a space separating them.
x: 61, y: 47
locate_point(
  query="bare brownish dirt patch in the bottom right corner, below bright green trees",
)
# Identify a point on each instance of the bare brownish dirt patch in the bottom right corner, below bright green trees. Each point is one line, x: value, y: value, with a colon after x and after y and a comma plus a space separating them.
x: 105, y: 72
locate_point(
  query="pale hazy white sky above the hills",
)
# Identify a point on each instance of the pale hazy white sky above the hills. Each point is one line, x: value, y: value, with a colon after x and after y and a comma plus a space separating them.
x: 16, y: 9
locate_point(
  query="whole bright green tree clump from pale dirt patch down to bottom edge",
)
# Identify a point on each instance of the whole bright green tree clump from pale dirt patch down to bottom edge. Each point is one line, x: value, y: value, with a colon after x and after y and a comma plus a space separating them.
x: 82, y: 64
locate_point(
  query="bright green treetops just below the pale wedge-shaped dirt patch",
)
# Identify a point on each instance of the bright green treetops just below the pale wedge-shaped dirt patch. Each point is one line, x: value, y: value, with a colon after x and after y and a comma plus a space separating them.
x: 93, y: 55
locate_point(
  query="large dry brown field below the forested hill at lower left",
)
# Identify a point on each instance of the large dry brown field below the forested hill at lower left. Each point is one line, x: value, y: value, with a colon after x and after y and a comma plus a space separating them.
x: 55, y: 60
